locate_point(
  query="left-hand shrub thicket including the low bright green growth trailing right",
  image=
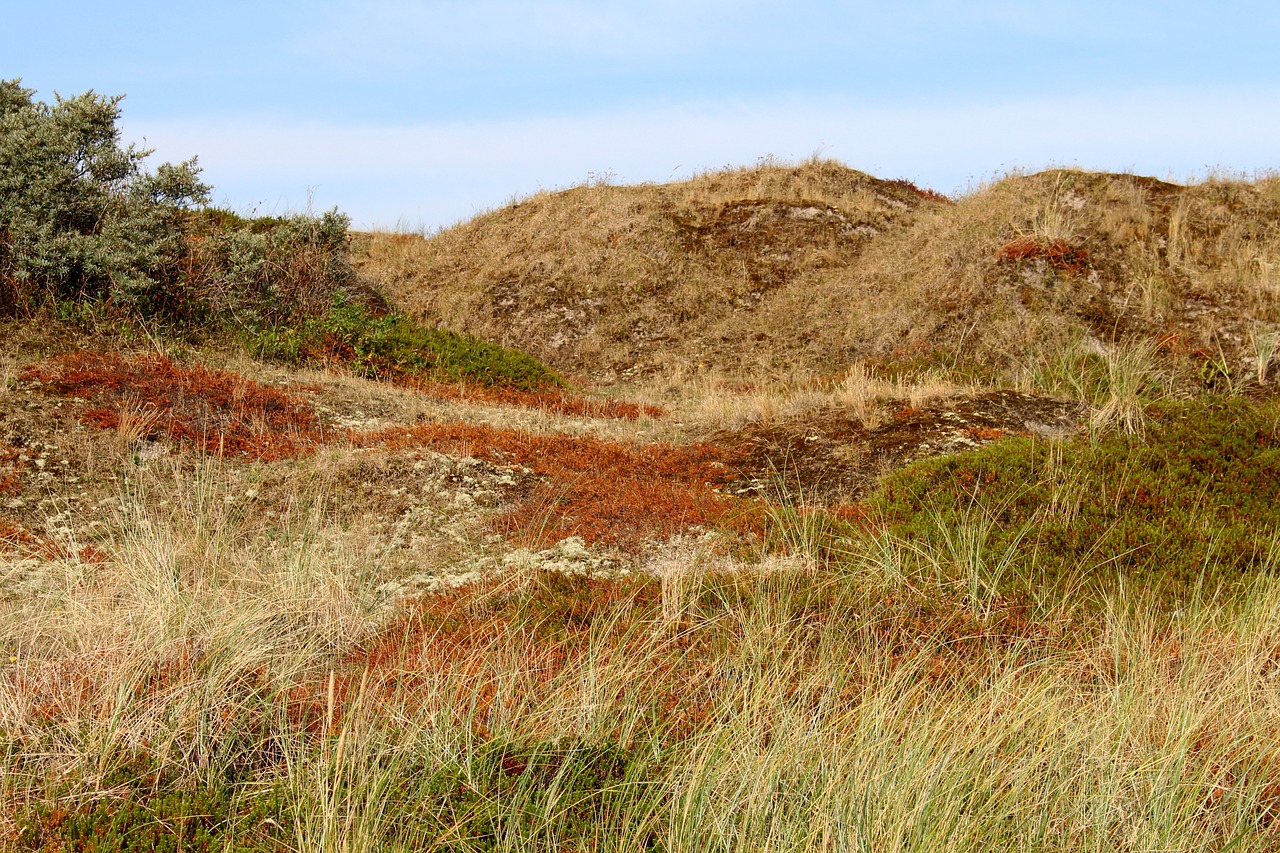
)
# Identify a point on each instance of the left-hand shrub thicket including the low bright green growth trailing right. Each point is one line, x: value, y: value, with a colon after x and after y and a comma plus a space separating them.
x: 85, y: 227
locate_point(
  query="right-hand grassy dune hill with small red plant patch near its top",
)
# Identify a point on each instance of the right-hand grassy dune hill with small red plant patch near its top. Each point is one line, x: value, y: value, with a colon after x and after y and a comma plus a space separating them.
x: 1036, y: 266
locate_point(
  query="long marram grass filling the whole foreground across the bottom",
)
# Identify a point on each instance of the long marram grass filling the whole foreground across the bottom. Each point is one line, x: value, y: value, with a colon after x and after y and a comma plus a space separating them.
x: 226, y: 682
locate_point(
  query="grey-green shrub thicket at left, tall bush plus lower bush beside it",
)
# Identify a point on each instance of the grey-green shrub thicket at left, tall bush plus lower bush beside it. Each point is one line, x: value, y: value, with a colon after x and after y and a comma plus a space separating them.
x: 84, y: 222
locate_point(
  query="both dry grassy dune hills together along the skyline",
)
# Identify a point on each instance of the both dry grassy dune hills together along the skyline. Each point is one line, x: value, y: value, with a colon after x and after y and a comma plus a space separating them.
x: 816, y: 266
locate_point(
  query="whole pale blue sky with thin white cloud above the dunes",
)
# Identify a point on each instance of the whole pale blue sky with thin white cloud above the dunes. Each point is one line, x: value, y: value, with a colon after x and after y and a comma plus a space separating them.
x: 418, y: 115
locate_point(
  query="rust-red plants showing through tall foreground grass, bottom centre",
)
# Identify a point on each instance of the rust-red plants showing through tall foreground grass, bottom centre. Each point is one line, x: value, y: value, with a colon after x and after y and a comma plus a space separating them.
x: 513, y: 651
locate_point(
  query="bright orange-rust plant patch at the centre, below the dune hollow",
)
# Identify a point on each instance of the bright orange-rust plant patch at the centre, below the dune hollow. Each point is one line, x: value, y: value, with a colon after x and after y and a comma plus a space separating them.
x: 598, y: 490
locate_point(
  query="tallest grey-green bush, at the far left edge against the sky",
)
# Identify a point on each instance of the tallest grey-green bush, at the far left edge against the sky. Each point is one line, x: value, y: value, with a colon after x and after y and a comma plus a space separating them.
x: 80, y: 216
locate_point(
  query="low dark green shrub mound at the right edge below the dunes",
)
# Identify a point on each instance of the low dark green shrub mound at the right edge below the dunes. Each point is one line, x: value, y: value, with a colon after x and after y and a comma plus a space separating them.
x: 1196, y: 501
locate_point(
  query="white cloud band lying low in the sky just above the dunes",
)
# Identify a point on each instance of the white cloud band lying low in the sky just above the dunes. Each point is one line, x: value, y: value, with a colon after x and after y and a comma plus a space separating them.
x: 436, y: 175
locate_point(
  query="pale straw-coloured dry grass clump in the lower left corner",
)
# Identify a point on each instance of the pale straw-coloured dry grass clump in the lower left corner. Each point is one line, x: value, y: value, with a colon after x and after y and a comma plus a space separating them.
x: 163, y: 654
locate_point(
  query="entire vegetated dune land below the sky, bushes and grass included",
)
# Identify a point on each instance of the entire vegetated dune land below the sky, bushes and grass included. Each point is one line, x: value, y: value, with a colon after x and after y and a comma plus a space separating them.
x: 284, y: 569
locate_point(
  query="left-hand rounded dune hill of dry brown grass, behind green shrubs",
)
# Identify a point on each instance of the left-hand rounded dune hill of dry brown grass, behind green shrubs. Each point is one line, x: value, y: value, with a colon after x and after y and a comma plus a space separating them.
x: 601, y: 279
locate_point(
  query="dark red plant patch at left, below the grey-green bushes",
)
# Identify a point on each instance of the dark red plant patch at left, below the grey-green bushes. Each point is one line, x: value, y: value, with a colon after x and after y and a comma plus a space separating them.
x: 220, y: 412
